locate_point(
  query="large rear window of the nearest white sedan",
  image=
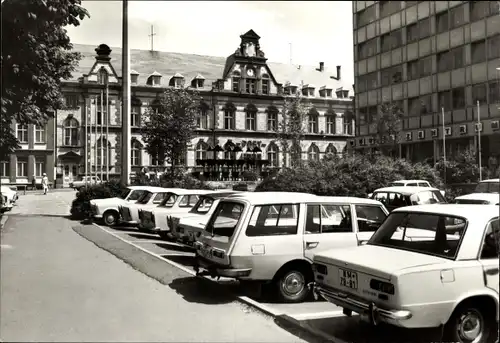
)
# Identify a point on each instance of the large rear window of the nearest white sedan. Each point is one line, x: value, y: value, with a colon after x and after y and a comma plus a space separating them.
x: 426, y: 233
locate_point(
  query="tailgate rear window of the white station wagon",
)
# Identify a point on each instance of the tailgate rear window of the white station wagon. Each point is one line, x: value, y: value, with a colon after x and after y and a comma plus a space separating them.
x: 225, y: 219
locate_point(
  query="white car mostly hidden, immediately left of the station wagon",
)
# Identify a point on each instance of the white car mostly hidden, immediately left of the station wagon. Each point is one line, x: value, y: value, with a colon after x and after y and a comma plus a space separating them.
x: 187, y: 226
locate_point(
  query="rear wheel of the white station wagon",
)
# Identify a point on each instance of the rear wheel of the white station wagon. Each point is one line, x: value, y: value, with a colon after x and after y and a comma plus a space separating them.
x: 292, y: 284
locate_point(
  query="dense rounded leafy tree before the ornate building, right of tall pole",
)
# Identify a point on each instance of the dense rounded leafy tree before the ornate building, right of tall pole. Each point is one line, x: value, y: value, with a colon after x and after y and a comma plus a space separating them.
x: 169, y: 124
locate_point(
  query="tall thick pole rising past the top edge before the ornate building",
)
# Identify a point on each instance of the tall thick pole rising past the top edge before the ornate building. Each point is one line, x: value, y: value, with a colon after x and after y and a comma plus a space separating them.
x: 125, y: 155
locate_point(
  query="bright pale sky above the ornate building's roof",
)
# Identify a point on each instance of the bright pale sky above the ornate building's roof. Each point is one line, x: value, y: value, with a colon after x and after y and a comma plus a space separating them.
x: 317, y: 30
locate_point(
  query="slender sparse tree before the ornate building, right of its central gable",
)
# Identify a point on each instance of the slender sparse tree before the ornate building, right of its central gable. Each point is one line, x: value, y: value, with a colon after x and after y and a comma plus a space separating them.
x: 290, y: 131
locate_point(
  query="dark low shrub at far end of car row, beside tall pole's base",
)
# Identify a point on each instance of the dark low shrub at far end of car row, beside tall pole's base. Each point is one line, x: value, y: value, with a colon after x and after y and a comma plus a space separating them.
x: 80, y: 207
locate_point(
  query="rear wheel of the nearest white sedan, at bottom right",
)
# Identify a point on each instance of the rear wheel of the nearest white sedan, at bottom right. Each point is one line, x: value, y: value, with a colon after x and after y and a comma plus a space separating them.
x: 470, y: 323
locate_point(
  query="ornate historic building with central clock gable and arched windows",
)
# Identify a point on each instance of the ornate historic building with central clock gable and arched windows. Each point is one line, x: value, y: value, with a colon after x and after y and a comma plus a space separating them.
x: 242, y: 97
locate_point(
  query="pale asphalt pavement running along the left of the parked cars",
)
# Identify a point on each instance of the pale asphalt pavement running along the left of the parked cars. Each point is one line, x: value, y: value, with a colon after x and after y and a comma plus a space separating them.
x: 58, y: 286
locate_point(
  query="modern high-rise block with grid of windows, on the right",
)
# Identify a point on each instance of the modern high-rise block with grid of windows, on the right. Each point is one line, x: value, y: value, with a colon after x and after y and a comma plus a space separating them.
x: 426, y: 56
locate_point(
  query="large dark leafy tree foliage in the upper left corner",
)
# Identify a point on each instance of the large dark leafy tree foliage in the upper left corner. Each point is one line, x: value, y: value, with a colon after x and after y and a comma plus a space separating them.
x: 36, y: 57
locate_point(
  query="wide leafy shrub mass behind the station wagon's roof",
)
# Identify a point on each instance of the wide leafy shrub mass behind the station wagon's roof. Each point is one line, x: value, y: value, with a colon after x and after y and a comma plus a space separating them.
x: 351, y: 176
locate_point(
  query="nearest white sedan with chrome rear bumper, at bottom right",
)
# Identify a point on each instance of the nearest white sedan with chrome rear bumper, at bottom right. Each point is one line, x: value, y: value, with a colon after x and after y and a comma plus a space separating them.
x: 418, y: 272
